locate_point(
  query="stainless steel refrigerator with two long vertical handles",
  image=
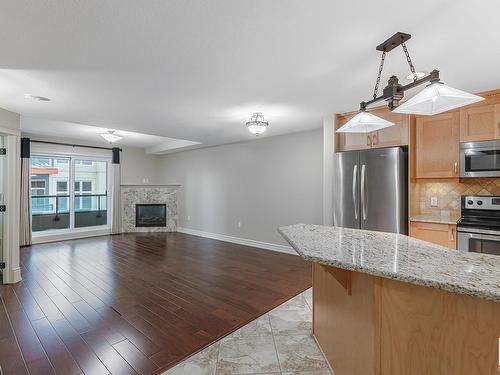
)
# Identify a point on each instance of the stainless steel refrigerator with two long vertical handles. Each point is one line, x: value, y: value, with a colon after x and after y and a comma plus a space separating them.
x: 370, y: 189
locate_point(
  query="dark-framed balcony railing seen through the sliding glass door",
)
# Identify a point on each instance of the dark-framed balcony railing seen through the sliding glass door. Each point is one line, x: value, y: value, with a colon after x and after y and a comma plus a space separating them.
x: 53, y: 211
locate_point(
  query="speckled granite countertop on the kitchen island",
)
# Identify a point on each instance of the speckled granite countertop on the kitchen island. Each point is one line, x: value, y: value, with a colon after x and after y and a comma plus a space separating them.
x: 398, y: 257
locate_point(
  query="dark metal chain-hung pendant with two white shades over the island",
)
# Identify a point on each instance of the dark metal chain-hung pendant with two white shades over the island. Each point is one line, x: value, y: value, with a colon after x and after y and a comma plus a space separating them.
x: 433, y: 99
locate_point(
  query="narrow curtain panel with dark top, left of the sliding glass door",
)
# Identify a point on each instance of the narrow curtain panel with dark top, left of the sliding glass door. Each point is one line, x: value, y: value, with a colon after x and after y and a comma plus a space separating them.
x: 25, y: 215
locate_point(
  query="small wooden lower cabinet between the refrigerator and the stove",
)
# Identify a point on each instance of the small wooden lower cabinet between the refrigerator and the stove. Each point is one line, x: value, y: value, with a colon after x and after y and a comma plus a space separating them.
x: 440, y: 234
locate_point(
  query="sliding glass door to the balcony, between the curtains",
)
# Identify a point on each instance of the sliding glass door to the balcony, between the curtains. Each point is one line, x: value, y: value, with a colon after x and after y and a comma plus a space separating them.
x: 68, y: 193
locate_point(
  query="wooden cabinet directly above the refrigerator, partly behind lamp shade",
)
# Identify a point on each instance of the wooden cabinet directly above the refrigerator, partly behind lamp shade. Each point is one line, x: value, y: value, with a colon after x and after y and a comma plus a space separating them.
x: 396, y: 135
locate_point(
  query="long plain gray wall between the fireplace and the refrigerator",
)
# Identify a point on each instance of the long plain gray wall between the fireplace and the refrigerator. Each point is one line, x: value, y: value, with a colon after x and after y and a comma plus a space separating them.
x: 262, y: 184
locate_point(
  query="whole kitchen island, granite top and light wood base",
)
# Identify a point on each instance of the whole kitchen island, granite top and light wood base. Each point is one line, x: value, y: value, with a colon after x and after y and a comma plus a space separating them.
x: 389, y: 304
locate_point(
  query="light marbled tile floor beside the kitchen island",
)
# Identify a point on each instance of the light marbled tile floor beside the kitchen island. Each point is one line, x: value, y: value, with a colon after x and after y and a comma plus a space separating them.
x: 279, y: 342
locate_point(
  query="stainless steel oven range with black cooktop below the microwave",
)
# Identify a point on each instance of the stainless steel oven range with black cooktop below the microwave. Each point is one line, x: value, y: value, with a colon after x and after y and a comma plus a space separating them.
x: 479, y: 226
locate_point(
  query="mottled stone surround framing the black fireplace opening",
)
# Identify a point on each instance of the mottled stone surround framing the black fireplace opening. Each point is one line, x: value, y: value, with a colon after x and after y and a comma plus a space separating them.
x: 131, y: 195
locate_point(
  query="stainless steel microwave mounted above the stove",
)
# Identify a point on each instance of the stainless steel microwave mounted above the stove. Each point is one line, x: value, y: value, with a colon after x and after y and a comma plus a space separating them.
x: 480, y: 159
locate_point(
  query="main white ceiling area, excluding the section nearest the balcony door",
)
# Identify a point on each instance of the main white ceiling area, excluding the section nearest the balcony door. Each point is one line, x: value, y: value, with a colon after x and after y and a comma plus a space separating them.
x: 196, y: 70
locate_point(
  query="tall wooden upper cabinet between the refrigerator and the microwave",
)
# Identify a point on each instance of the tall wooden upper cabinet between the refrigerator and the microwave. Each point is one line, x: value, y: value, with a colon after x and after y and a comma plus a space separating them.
x: 437, y: 142
